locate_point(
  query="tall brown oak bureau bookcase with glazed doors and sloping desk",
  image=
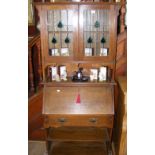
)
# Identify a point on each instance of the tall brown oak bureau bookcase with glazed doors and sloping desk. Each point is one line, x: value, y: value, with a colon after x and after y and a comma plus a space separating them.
x: 78, y: 34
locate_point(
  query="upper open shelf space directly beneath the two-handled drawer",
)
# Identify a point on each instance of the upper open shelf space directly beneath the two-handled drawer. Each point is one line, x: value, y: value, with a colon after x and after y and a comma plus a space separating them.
x: 78, y: 134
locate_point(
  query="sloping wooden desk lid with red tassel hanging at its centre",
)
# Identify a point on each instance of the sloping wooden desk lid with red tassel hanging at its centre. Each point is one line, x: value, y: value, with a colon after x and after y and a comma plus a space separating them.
x: 78, y: 100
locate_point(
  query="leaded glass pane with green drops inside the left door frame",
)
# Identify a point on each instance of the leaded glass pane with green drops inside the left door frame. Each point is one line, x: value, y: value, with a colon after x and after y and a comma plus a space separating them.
x: 60, y: 32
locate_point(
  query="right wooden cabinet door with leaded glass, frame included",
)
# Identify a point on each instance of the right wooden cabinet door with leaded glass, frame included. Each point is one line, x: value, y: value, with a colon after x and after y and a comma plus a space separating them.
x: 97, y: 32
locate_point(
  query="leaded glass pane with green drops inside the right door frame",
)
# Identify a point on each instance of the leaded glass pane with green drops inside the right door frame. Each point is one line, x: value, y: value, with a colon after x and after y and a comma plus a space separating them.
x: 96, y: 32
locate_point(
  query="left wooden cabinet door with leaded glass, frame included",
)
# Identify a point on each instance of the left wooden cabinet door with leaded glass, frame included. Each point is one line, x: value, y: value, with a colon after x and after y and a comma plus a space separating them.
x: 59, y: 32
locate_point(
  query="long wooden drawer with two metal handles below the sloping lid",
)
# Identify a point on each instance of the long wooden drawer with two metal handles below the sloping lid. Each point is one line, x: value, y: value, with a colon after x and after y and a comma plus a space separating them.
x: 79, y: 121
